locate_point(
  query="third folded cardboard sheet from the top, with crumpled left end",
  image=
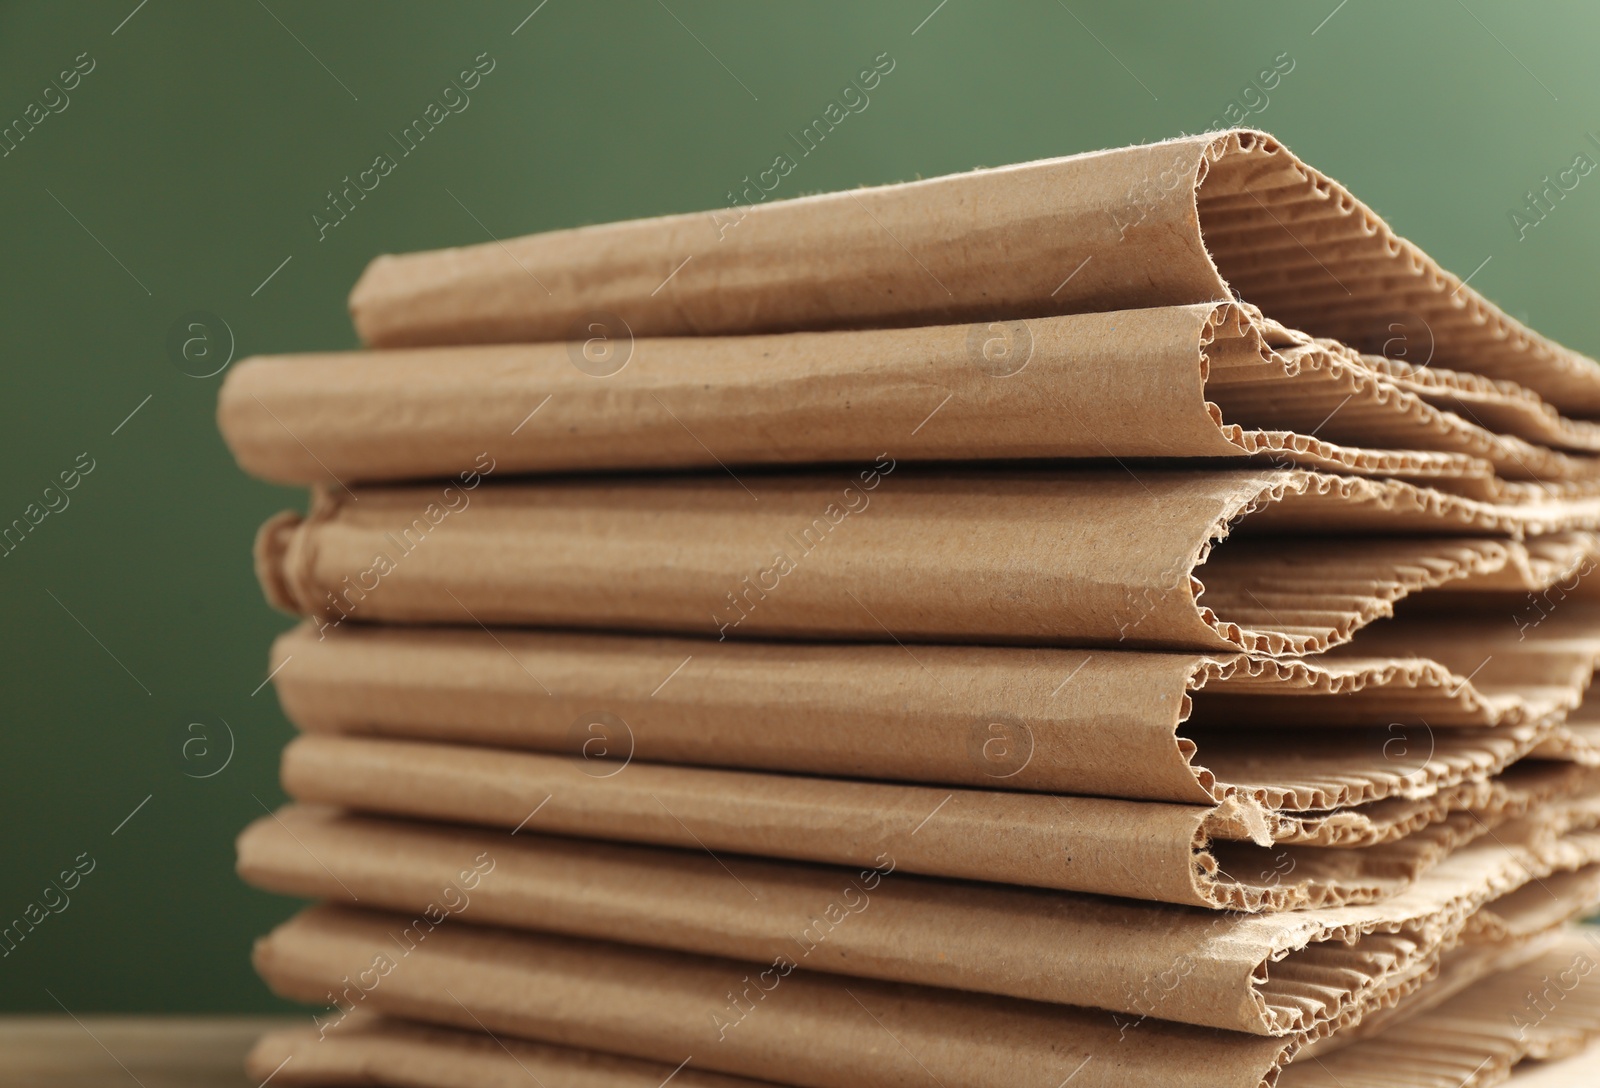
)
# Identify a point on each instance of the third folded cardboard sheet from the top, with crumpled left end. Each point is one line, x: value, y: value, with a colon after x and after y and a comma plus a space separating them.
x: 1094, y: 558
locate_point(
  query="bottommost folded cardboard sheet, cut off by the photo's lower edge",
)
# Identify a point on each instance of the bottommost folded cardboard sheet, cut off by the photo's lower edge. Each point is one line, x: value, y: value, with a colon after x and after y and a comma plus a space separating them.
x: 1436, y: 1050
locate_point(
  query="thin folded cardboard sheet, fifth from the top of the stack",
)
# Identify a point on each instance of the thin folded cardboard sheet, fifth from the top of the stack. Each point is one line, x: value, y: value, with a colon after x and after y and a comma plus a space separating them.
x: 1078, y: 844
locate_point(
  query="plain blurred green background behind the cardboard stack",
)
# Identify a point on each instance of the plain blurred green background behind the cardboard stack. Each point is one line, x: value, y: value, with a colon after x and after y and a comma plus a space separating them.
x: 207, y: 137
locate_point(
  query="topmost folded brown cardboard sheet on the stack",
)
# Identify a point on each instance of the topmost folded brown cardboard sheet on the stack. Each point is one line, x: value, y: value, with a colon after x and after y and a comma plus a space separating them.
x: 1194, y: 220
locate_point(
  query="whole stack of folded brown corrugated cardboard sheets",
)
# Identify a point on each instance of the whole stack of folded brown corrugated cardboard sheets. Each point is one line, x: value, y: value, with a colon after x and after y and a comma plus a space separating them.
x: 1118, y: 620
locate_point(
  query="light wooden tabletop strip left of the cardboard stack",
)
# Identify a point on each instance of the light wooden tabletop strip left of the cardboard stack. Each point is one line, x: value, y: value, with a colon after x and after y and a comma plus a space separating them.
x: 129, y: 1052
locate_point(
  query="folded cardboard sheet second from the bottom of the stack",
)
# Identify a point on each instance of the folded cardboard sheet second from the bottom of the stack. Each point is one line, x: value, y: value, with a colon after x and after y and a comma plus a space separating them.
x: 820, y: 1031
